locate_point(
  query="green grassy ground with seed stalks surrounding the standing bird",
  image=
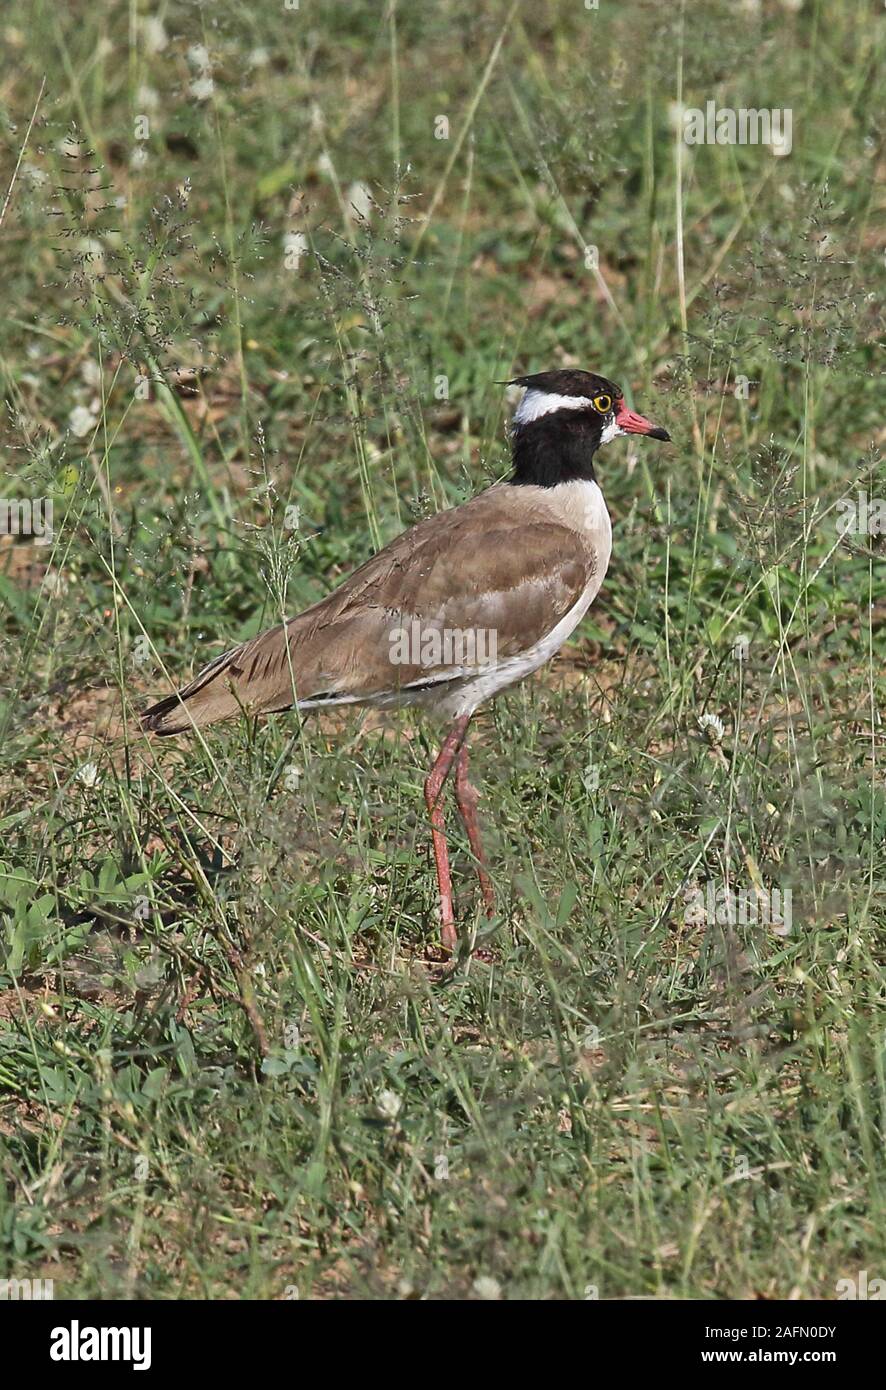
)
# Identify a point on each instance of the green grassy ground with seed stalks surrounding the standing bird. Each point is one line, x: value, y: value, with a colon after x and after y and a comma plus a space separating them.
x: 227, y: 1067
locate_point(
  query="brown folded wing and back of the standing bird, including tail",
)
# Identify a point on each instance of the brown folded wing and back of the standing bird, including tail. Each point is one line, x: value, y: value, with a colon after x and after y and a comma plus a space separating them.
x: 497, y: 564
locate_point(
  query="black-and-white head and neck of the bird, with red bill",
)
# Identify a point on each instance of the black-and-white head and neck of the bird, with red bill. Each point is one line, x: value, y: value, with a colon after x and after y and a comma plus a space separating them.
x: 561, y: 423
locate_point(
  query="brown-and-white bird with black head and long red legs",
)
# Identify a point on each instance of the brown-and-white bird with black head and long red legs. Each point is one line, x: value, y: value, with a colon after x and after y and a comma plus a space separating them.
x: 456, y: 610
